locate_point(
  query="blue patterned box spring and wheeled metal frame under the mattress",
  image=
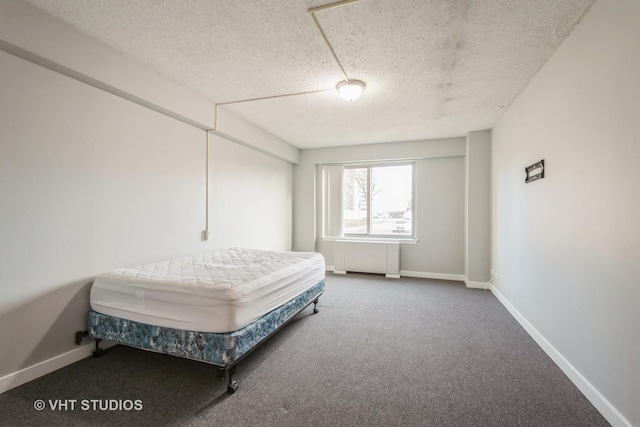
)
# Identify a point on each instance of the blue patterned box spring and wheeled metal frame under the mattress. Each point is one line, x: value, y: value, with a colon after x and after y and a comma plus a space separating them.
x: 224, y: 350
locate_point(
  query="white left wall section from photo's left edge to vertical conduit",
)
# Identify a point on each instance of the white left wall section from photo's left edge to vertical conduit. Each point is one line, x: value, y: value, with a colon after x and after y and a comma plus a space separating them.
x: 89, y: 182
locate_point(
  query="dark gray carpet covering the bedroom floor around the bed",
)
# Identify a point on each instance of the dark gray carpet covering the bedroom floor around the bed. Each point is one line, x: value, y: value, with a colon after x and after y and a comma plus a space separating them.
x: 381, y: 352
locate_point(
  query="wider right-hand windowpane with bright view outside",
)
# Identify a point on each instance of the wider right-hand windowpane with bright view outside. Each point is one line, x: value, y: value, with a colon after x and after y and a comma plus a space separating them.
x: 391, y: 190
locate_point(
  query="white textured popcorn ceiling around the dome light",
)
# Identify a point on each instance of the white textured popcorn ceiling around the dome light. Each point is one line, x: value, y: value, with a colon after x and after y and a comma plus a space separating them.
x: 433, y: 68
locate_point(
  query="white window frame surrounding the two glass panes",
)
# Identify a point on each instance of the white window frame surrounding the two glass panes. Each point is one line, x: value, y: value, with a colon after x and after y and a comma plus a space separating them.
x: 369, y: 235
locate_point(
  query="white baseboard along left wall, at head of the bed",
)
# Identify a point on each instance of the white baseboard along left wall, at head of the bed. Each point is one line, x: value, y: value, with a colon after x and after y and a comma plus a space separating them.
x: 45, y: 367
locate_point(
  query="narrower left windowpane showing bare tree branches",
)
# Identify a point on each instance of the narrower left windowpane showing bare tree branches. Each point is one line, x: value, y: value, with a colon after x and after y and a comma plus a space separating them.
x: 354, y: 200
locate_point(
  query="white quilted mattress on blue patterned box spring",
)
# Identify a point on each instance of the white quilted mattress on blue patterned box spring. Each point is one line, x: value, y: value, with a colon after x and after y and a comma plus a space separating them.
x: 216, y: 292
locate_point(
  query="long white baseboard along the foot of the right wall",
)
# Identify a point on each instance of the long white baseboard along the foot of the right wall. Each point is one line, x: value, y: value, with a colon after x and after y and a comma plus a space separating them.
x: 591, y: 393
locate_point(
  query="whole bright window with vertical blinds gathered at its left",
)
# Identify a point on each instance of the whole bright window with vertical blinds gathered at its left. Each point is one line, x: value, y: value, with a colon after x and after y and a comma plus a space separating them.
x: 372, y: 200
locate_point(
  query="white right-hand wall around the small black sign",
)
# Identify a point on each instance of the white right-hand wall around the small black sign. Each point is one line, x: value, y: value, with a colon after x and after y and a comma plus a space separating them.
x: 567, y: 248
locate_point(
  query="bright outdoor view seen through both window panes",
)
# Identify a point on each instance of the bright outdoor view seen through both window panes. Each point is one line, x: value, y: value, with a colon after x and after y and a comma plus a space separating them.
x: 377, y: 200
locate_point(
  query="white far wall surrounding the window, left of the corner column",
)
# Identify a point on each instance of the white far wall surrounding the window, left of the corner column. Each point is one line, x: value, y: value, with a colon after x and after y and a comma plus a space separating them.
x: 440, y: 202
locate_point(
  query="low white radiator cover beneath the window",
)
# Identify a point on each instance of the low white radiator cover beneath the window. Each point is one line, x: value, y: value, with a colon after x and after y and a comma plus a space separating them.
x: 367, y: 257
